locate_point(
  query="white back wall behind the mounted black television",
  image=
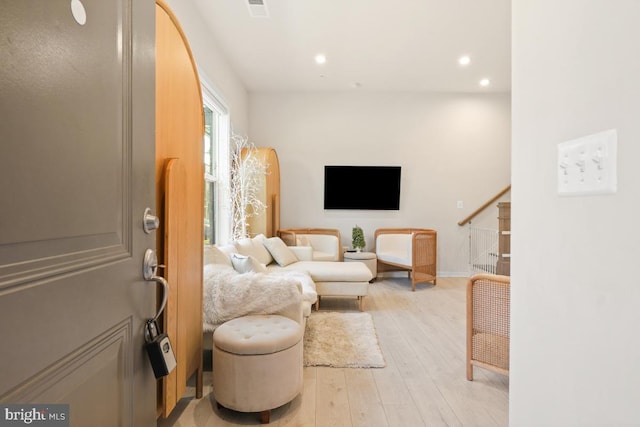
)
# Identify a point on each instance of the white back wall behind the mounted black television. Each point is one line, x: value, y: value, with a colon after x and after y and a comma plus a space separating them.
x: 450, y: 147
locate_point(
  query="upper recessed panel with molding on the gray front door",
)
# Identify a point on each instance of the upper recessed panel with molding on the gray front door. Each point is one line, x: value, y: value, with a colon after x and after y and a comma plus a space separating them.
x: 96, y: 233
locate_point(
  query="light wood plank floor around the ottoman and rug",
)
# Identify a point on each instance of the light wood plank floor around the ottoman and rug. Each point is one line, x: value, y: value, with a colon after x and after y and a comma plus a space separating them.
x: 422, y: 337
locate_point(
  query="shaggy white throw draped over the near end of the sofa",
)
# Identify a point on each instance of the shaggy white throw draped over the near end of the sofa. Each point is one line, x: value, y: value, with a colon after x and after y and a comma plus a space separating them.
x: 228, y: 294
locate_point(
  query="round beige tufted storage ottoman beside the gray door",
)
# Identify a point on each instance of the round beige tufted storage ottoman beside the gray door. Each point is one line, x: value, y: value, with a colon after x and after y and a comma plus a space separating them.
x: 257, y: 363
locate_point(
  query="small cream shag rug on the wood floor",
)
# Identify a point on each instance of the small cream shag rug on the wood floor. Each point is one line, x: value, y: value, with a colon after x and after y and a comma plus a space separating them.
x: 342, y: 340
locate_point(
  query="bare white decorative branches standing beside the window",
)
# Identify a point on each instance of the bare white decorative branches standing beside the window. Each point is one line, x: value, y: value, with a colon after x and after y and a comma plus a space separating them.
x: 246, y: 175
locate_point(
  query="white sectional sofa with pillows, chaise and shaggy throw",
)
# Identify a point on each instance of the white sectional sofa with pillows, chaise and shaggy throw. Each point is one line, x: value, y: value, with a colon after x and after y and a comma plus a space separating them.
x: 238, y: 276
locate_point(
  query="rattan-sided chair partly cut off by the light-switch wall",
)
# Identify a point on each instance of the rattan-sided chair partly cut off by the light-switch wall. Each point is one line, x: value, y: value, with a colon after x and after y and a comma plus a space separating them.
x: 488, y: 318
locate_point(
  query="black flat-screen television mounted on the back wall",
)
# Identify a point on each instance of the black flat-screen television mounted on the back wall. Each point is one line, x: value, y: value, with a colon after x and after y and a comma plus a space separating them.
x: 362, y: 187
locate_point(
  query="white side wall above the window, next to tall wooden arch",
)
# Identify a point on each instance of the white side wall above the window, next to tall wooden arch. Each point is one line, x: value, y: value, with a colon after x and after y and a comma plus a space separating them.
x: 212, y: 63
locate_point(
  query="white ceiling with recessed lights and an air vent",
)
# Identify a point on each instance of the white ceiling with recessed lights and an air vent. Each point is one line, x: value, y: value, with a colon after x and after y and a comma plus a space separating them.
x: 399, y: 45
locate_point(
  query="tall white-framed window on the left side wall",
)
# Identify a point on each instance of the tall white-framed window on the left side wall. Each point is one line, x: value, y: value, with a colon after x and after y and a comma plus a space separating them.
x: 216, y: 155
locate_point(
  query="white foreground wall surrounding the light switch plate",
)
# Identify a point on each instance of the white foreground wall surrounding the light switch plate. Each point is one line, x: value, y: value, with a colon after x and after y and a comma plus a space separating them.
x: 575, y: 294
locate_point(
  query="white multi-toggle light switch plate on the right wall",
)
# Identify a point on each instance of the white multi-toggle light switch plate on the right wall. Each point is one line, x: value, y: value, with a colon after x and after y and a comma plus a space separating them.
x: 588, y: 165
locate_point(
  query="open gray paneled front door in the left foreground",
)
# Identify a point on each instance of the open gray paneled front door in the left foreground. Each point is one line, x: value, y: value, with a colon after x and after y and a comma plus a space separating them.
x: 76, y: 173
